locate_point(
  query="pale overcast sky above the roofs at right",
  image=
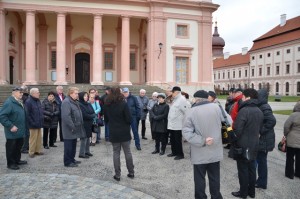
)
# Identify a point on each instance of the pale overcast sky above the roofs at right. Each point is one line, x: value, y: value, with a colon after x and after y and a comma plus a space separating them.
x: 242, y: 21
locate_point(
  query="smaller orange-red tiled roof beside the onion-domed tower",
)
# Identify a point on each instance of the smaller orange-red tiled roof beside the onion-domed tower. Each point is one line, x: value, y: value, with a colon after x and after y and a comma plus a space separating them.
x: 232, y: 60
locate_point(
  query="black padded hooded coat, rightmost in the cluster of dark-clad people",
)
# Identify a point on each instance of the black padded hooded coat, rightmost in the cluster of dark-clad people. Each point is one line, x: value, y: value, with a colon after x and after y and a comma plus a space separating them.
x: 267, y: 134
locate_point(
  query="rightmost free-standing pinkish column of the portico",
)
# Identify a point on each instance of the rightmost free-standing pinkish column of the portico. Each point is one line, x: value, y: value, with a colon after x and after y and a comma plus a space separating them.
x: 125, y: 67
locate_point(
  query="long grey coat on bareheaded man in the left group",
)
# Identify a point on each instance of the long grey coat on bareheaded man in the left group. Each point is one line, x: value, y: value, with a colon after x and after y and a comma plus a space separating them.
x: 71, y: 118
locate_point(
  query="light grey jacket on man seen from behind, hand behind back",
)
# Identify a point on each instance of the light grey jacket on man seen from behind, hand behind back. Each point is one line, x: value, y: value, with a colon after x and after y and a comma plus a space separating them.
x: 204, y: 120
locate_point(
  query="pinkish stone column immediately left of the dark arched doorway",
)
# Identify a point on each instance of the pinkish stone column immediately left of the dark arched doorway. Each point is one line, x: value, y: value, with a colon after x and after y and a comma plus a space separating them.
x: 61, y: 50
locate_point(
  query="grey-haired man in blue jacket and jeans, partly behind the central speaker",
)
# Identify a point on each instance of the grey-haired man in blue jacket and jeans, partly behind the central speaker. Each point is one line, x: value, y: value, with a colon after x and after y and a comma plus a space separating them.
x: 135, y: 113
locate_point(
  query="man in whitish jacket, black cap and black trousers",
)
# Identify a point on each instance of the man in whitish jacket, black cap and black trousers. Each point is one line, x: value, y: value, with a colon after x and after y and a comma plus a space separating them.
x: 176, y: 114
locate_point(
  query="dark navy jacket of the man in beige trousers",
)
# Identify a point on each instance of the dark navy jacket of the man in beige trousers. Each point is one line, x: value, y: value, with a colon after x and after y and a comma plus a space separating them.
x: 34, y: 113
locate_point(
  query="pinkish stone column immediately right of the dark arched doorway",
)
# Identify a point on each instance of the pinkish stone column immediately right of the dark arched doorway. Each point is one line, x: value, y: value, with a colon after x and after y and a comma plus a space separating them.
x: 97, y: 51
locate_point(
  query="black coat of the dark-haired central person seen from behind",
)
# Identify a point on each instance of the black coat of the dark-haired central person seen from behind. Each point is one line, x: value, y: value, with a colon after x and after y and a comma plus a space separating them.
x: 118, y: 117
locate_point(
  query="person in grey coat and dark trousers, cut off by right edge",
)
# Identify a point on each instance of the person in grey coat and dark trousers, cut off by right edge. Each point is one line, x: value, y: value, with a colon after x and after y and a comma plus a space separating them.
x: 292, y: 133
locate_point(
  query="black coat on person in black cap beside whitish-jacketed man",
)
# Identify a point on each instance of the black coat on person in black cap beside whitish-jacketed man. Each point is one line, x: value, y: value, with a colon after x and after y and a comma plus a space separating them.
x: 159, y: 114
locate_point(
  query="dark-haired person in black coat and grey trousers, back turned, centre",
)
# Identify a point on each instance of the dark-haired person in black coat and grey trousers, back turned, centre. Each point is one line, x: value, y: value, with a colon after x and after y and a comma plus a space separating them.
x: 116, y: 113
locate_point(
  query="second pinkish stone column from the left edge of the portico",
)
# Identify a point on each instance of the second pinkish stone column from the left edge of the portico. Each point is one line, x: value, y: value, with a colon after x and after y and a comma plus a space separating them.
x: 30, y: 53
